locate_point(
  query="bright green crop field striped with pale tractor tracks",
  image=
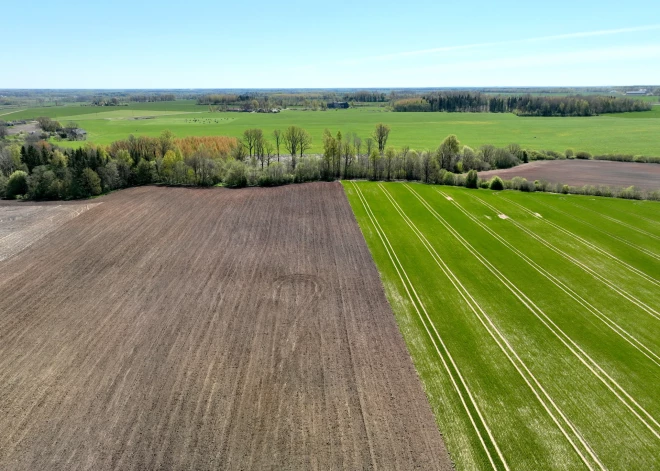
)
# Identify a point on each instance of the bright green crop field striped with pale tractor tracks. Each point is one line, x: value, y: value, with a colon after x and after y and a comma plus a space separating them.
x: 532, y: 319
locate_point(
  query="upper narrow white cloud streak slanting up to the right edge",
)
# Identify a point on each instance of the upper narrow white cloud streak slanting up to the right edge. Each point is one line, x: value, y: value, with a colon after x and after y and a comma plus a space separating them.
x: 557, y: 37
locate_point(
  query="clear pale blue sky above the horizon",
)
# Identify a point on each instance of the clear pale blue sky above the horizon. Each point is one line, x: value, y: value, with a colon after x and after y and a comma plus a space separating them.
x: 306, y: 44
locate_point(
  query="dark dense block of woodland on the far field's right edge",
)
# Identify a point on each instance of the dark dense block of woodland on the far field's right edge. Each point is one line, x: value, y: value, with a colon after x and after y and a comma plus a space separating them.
x: 526, y: 105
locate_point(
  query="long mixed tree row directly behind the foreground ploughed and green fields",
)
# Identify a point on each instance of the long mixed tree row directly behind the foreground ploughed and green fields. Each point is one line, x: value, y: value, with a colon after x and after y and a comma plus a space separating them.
x: 41, y: 170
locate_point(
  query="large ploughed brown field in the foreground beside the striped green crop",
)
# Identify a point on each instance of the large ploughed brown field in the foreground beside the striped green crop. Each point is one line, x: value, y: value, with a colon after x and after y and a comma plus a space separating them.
x: 207, y: 329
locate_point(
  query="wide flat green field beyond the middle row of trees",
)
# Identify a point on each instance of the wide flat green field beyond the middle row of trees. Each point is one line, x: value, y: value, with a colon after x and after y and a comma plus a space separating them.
x: 598, y: 135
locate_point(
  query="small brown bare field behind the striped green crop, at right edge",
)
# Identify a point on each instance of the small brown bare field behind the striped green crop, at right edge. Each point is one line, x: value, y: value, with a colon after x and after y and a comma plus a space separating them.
x: 585, y: 172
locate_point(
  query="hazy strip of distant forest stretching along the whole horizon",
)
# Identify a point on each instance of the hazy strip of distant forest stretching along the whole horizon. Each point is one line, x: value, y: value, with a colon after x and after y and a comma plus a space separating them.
x: 524, y: 101
